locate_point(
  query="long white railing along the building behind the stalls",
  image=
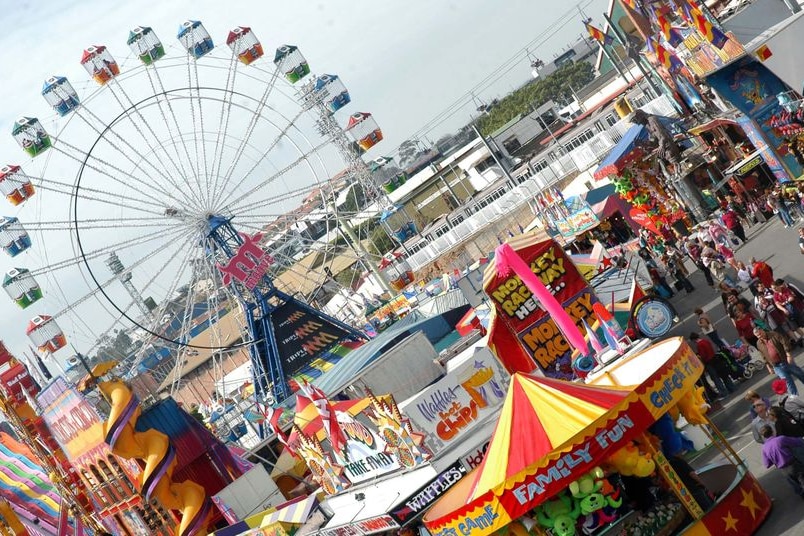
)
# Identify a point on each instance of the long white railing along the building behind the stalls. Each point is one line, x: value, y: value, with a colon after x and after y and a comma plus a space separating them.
x: 580, y: 159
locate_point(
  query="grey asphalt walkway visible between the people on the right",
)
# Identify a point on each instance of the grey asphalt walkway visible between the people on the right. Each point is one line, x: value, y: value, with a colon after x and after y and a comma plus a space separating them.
x: 779, y: 248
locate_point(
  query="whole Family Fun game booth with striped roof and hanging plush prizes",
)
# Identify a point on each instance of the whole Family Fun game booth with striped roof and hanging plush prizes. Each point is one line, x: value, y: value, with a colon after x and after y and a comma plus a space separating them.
x: 543, y: 472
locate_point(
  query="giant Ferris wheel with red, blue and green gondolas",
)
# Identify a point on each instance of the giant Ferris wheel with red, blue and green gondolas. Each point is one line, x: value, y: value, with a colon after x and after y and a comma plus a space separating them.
x: 145, y: 180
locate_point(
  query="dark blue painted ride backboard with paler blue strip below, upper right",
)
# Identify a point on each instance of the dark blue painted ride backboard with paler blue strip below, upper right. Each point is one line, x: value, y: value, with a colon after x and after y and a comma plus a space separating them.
x: 753, y: 89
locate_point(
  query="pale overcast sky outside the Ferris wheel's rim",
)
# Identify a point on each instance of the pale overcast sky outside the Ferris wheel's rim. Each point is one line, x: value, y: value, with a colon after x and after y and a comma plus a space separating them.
x: 405, y: 62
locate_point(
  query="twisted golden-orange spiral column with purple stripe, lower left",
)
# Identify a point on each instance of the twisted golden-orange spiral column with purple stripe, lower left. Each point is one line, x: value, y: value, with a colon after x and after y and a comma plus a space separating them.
x: 154, y: 449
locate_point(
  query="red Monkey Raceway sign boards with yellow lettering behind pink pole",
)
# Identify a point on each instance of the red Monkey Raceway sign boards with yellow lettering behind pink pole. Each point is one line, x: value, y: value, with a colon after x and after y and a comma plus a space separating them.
x: 518, y: 312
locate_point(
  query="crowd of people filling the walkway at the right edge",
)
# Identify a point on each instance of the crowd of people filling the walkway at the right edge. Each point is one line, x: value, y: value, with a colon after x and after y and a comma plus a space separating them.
x: 766, y: 312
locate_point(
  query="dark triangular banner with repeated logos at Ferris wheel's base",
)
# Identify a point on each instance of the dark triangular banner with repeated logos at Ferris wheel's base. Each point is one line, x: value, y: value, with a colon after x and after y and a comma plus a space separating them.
x: 302, y: 336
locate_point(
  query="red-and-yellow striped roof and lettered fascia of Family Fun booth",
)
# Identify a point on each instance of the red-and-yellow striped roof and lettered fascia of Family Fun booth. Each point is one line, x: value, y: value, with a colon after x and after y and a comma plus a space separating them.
x: 550, y: 432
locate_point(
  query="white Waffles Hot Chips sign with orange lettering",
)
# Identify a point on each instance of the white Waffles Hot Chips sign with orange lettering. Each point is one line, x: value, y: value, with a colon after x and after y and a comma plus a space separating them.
x: 449, y: 410
